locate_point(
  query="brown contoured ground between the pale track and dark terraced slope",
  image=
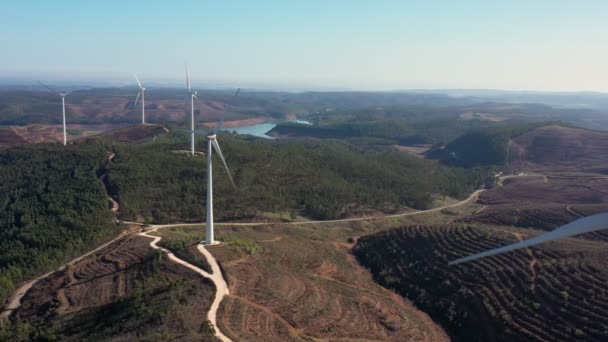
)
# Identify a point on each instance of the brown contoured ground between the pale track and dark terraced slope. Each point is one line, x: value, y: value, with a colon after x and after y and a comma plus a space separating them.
x: 297, y: 287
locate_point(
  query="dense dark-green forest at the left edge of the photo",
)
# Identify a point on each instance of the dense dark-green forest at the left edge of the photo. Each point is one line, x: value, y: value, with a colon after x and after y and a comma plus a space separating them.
x: 53, y: 208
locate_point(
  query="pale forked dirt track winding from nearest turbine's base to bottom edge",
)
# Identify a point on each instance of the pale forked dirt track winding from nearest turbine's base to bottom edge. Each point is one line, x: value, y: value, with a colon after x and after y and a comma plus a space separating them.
x: 216, y: 277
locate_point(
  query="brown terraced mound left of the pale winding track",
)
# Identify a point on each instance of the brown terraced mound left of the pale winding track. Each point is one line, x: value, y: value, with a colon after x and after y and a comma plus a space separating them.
x: 125, y: 291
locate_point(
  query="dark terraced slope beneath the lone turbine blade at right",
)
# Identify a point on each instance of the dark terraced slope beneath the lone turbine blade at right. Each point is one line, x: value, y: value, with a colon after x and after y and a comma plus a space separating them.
x: 555, y: 293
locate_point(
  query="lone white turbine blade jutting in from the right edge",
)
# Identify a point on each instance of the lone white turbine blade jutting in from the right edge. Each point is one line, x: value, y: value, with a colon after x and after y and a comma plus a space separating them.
x: 584, y: 225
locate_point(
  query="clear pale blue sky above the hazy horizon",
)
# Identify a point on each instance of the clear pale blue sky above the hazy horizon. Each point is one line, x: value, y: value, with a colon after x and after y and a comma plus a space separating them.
x: 313, y: 44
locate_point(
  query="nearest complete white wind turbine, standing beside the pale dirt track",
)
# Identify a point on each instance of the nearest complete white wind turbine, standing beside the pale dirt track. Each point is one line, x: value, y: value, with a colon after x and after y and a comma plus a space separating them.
x: 212, y: 144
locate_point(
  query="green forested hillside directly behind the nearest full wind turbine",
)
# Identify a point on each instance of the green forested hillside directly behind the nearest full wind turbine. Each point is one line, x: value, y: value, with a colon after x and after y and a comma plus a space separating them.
x: 317, y: 179
